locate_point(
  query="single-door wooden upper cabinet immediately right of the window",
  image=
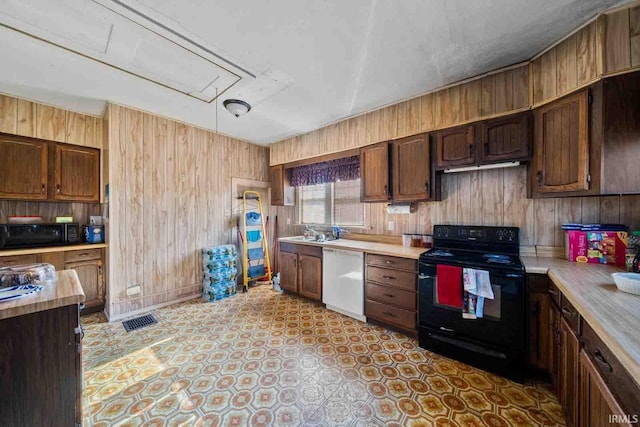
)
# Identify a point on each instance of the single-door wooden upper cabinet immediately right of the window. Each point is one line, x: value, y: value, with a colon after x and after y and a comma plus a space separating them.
x: 374, y: 173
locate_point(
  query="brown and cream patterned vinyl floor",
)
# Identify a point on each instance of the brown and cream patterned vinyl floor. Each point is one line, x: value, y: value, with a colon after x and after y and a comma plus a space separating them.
x: 266, y: 359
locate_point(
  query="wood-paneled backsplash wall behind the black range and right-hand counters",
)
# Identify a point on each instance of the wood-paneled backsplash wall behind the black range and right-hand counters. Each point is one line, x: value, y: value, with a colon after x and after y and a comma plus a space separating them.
x: 495, y: 197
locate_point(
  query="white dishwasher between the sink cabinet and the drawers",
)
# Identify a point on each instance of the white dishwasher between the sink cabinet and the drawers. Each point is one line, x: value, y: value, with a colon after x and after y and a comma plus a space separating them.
x: 343, y: 282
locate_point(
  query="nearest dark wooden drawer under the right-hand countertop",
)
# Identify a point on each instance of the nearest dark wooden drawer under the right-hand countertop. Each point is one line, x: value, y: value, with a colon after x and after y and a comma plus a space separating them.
x: 619, y: 381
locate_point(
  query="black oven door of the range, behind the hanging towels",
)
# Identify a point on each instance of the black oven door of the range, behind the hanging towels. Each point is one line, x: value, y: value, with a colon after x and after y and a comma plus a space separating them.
x: 503, y: 321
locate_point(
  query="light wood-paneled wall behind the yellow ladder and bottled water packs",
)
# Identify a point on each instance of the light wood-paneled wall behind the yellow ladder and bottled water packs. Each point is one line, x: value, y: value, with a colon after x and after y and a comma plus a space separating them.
x: 170, y: 196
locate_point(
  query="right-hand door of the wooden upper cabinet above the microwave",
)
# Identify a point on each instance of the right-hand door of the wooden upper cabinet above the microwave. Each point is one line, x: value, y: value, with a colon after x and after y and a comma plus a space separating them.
x: 77, y: 173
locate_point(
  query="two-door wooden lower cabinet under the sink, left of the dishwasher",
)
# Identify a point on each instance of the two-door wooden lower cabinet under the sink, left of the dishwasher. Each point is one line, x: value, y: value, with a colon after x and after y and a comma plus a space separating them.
x: 301, y: 270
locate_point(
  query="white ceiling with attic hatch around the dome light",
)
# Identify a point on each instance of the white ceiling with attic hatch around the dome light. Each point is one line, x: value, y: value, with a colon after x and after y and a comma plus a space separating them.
x: 302, y: 64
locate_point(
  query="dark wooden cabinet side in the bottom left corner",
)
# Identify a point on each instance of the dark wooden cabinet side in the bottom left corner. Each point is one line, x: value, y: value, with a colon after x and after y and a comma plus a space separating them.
x: 40, y: 361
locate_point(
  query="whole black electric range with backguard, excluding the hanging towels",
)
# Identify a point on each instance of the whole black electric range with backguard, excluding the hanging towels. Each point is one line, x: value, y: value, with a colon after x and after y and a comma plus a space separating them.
x: 496, y: 342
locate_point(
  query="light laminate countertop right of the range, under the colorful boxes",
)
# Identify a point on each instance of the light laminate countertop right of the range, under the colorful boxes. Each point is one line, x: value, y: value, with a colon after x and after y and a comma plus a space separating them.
x: 614, y: 315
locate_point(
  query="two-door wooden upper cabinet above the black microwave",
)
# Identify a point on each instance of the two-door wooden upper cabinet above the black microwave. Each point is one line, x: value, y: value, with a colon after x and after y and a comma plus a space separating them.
x: 36, y: 169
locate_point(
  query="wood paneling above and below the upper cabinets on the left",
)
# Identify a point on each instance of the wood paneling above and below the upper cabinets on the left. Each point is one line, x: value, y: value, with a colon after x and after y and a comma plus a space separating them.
x: 26, y: 118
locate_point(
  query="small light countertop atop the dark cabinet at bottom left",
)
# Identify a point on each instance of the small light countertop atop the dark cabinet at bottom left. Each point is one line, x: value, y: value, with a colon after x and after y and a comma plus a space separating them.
x: 66, y: 290
